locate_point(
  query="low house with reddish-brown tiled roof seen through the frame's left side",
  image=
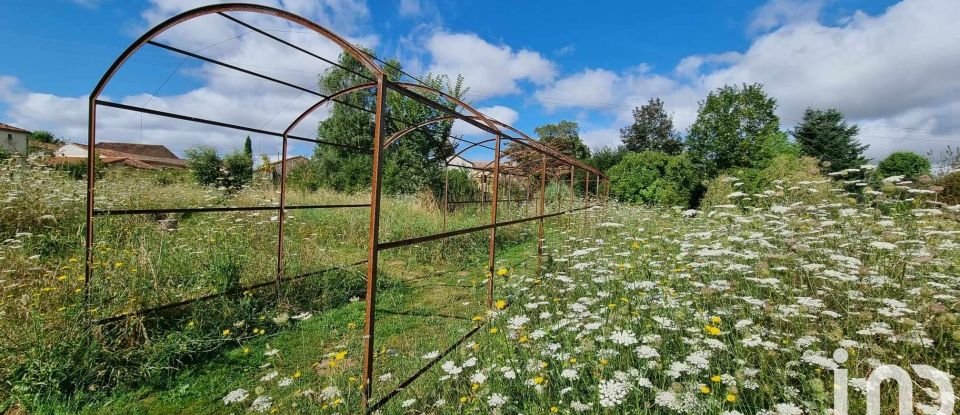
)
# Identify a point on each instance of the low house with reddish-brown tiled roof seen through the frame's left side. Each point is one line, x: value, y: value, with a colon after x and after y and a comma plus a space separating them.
x: 141, y: 156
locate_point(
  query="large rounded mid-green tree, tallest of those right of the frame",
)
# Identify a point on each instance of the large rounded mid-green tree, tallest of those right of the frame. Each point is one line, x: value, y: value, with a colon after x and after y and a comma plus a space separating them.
x: 736, y: 127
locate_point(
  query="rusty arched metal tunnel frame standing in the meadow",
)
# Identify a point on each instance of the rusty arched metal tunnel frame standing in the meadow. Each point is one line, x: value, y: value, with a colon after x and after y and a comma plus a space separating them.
x: 455, y: 110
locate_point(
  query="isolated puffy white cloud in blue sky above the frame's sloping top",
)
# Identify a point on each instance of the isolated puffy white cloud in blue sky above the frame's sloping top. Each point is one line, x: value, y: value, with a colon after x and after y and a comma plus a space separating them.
x: 489, y: 70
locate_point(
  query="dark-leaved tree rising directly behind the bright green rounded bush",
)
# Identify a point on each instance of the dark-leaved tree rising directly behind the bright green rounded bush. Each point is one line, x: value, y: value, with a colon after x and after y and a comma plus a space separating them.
x: 652, y: 129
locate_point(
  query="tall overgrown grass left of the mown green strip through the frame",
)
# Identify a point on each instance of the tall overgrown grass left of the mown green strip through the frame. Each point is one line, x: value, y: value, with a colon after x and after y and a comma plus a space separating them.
x: 50, y: 354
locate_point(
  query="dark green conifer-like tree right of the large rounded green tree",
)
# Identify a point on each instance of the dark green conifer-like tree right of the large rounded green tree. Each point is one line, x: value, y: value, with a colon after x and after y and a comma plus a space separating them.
x: 825, y: 134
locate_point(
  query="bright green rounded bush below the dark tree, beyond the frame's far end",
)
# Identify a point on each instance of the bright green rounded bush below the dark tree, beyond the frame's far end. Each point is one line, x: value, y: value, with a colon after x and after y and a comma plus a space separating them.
x: 653, y: 178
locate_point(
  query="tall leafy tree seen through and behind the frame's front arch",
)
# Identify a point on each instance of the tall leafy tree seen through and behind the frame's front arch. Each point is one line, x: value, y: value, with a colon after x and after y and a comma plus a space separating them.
x: 412, y: 163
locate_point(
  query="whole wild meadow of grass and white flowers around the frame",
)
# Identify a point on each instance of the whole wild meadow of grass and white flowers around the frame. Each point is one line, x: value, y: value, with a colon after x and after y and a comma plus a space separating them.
x: 736, y: 308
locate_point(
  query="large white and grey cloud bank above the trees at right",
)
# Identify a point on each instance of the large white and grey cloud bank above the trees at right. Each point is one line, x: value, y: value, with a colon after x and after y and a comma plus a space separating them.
x: 893, y: 73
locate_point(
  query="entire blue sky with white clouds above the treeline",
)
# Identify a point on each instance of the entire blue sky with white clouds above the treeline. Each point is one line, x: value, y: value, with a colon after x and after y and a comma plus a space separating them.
x: 889, y: 65
